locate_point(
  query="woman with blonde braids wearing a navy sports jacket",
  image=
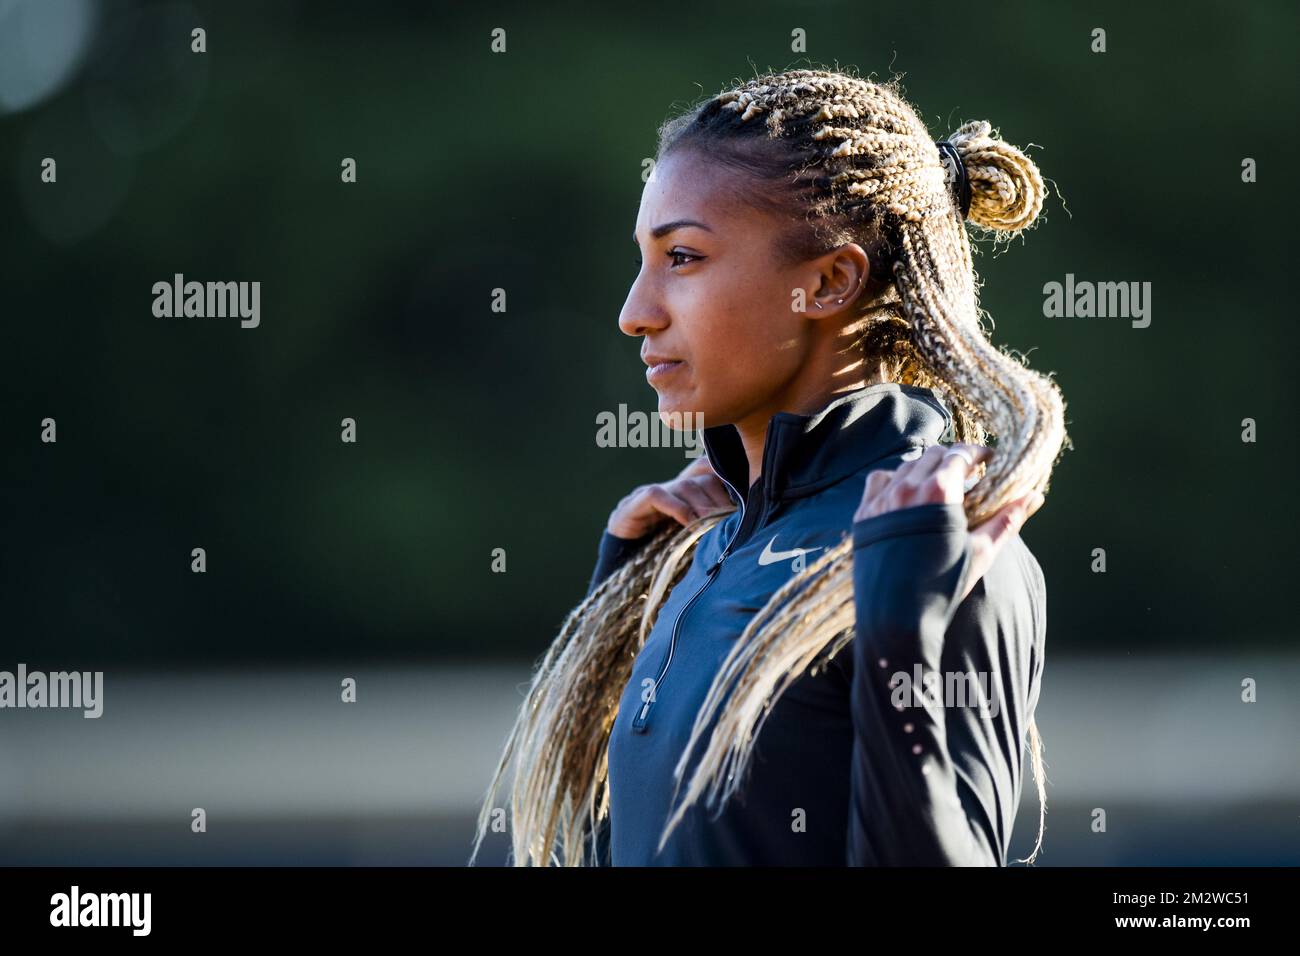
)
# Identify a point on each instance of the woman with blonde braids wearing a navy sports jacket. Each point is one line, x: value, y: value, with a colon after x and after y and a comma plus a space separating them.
x: 822, y: 644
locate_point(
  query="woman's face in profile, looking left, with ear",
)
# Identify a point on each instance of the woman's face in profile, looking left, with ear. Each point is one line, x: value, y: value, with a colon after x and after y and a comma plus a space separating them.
x: 714, y: 304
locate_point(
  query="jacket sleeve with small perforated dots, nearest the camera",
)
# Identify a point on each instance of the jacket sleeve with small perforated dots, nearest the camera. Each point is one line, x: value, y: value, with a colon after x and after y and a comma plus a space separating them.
x: 941, y: 691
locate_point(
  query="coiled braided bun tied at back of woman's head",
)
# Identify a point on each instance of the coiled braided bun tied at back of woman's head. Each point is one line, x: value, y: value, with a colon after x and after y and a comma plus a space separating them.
x: 1007, y: 187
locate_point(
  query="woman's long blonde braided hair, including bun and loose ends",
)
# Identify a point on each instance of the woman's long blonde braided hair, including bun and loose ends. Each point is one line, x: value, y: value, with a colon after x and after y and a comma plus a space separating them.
x: 855, y: 157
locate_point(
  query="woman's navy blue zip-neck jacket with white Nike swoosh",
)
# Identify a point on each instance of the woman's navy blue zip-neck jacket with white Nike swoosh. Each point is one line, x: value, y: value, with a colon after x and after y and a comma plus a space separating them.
x: 846, y: 771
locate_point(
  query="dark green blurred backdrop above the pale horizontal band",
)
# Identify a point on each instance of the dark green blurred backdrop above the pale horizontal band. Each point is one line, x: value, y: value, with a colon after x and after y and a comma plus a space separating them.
x: 523, y: 171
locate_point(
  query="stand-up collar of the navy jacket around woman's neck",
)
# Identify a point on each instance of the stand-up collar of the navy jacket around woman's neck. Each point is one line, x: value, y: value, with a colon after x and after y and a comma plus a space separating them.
x: 807, y: 453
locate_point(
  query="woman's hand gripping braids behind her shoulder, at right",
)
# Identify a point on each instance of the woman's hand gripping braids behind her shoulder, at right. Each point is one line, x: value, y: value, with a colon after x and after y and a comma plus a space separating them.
x: 939, y: 477
